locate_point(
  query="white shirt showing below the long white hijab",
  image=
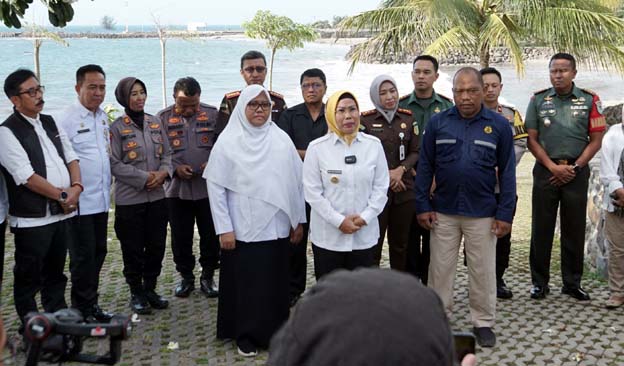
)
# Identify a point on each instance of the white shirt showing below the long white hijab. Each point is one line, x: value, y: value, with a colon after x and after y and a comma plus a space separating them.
x: 232, y: 211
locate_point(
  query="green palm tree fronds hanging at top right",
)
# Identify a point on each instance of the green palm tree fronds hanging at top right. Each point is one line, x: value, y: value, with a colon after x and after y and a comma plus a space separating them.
x: 589, y: 29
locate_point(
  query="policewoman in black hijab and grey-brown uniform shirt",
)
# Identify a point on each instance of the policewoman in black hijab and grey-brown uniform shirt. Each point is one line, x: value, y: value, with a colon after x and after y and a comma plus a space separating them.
x: 140, y: 162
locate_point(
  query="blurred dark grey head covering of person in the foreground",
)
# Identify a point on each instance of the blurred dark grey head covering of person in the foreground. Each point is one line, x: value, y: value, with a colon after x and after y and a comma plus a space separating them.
x: 365, y: 317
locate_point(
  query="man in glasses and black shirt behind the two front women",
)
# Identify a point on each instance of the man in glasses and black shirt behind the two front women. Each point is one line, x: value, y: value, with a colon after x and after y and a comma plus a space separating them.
x: 303, y: 123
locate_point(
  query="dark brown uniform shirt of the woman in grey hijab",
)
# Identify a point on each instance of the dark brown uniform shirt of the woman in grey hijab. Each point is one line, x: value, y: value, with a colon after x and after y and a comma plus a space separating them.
x: 396, y: 136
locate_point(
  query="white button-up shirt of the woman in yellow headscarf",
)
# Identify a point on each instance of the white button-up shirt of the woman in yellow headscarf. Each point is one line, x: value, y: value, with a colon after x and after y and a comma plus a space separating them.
x: 335, y: 189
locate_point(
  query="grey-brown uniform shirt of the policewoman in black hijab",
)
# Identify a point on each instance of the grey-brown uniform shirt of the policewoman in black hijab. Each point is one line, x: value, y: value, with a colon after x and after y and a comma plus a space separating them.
x: 134, y: 153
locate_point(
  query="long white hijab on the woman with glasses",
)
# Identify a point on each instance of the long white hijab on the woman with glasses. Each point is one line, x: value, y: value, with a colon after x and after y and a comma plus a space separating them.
x: 257, y: 162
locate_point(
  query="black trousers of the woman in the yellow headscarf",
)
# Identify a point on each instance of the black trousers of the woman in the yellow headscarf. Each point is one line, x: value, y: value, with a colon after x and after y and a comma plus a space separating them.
x: 326, y: 261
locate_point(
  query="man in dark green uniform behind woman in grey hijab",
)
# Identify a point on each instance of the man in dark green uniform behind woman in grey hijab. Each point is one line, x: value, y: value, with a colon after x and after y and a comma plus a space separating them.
x: 424, y: 102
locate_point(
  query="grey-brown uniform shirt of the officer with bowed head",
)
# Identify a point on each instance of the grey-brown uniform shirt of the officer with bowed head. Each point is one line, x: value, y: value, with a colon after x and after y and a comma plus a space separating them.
x: 191, y: 140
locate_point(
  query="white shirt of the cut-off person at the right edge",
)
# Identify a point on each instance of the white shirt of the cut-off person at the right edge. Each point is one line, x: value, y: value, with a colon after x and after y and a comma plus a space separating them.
x: 610, y: 155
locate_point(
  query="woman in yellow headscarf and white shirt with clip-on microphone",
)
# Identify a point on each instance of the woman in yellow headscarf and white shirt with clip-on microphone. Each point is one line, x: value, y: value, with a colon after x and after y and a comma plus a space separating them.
x: 345, y: 177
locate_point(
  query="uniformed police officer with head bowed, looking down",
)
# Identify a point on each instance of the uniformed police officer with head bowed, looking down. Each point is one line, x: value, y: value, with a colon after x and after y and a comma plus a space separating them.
x: 190, y: 127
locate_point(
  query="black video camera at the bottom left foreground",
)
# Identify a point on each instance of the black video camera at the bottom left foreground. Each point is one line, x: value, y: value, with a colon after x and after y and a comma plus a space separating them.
x: 59, y: 337
